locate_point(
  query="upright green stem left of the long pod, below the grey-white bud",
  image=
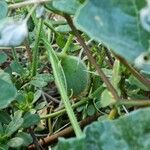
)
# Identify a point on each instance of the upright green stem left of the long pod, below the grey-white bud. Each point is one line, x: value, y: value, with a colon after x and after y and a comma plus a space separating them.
x: 36, y: 49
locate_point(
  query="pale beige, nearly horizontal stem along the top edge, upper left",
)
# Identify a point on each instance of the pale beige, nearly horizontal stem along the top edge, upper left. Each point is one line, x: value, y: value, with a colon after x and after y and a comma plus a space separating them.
x: 26, y: 3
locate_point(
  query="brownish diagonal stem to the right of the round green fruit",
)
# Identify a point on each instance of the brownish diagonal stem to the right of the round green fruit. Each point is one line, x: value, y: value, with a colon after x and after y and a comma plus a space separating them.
x: 91, y: 59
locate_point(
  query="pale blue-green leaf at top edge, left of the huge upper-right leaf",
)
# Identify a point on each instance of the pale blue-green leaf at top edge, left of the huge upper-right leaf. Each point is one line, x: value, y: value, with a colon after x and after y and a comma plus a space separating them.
x: 66, y: 6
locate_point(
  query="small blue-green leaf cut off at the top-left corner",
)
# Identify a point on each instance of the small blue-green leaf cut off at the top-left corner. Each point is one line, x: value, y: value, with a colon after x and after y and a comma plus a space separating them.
x: 3, y: 8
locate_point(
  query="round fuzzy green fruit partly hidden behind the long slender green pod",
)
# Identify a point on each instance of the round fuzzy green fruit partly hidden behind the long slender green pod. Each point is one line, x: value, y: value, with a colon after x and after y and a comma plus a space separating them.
x: 76, y: 74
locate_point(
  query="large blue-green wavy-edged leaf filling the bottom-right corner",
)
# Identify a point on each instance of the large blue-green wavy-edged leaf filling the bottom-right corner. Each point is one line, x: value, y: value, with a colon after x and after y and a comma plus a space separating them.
x: 128, y: 132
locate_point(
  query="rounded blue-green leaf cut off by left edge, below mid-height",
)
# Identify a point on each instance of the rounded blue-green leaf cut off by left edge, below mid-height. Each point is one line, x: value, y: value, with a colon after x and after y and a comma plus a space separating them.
x: 8, y: 93
